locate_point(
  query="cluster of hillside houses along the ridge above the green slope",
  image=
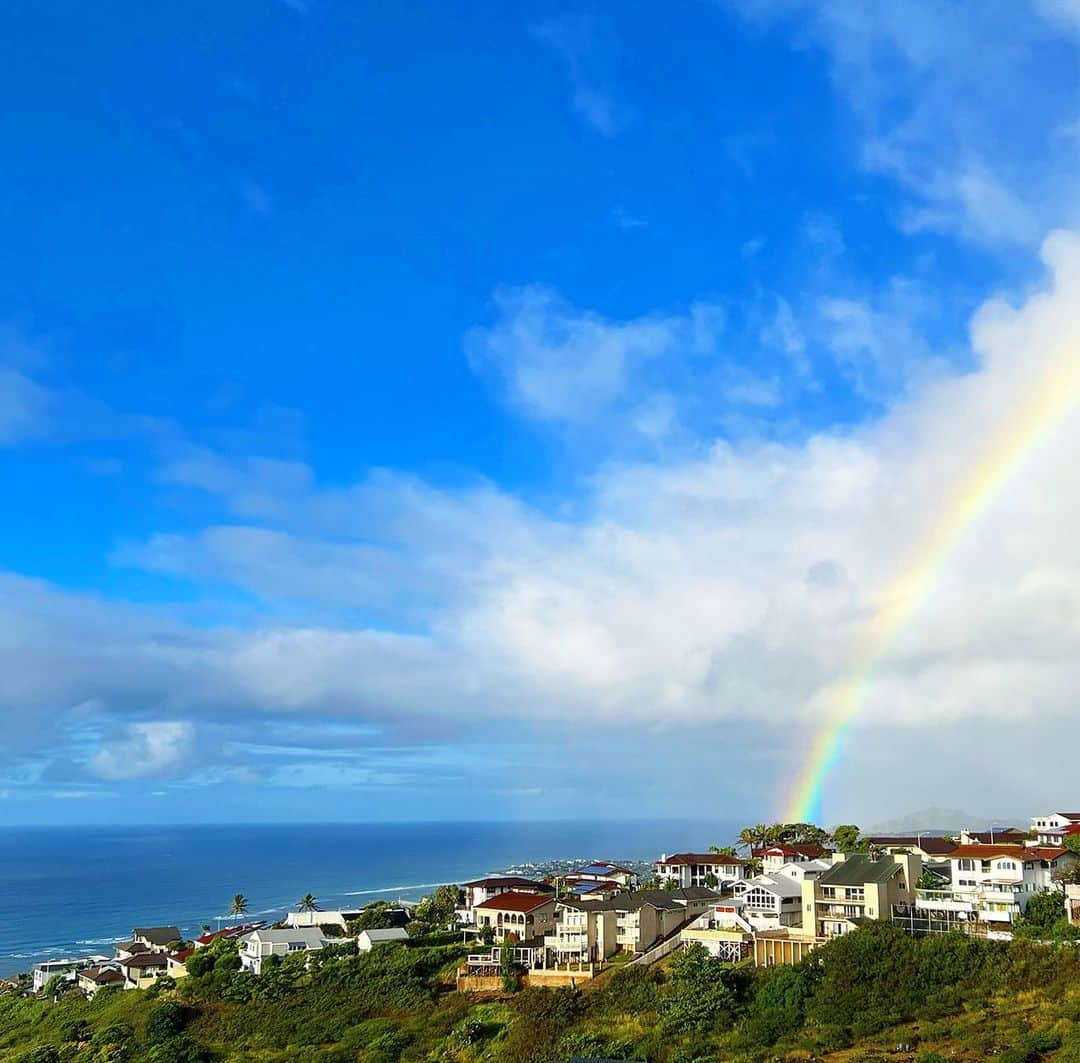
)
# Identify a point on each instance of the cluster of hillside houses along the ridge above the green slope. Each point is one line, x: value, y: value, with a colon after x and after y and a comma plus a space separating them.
x: 773, y: 907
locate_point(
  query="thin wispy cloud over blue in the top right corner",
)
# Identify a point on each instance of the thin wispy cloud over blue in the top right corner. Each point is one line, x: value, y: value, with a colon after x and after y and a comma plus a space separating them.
x: 933, y: 87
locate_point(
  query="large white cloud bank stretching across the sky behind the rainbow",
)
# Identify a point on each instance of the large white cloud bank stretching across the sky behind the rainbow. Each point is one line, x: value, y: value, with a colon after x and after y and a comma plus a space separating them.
x: 731, y: 586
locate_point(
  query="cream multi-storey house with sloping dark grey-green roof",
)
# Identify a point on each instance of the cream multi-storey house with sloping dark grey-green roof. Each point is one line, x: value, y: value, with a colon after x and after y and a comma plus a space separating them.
x: 858, y: 887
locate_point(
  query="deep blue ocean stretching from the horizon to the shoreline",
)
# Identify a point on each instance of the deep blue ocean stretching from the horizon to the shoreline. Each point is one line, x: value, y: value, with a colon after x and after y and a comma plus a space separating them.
x: 73, y: 892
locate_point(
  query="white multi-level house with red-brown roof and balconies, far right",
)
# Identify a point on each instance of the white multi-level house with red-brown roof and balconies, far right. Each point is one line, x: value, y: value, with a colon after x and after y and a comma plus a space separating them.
x: 993, y: 884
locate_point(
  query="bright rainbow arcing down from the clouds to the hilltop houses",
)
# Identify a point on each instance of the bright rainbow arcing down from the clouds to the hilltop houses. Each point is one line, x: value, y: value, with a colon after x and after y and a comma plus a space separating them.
x: 1056, y: 395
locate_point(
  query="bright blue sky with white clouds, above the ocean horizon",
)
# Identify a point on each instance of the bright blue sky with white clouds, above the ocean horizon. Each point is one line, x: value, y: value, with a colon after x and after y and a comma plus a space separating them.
x: 483, y: 411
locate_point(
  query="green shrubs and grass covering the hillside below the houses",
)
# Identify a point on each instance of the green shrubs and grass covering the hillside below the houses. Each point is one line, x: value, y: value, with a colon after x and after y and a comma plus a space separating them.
x: 948, y: 998
